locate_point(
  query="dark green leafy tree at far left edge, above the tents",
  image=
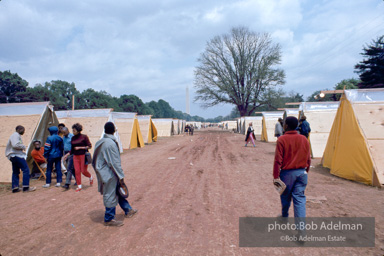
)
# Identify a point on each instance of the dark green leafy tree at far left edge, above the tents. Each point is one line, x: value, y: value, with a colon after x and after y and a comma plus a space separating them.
x: 10, y: 85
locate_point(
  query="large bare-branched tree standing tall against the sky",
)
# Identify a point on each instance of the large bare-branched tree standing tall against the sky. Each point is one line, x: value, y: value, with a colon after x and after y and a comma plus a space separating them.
x: 237, y: 68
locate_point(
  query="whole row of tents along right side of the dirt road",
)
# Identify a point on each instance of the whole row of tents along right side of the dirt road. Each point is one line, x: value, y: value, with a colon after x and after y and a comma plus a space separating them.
x: 348, y: 135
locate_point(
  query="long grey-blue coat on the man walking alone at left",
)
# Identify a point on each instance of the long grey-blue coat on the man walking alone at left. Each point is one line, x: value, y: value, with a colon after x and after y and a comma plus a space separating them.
x: 107, y: 165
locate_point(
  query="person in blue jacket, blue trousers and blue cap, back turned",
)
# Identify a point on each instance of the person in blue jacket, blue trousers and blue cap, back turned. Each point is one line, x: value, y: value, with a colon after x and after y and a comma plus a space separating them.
x: 53, y: 152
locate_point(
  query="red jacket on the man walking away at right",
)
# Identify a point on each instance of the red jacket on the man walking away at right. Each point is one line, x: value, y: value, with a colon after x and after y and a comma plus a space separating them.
x: 292, y: 152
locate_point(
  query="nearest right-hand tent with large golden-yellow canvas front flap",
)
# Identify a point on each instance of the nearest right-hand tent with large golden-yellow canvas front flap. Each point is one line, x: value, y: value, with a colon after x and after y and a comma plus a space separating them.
x: 355, y: 145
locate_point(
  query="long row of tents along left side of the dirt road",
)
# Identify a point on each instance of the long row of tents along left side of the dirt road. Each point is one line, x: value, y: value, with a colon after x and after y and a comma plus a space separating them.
x: 132, y: 130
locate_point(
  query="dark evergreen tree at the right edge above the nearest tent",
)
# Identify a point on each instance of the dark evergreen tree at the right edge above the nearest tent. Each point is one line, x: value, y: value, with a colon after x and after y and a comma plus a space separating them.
x: 371, y: 69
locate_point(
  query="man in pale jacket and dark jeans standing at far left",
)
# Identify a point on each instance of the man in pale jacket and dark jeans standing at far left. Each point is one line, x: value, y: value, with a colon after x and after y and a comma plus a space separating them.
x: 14, y: 151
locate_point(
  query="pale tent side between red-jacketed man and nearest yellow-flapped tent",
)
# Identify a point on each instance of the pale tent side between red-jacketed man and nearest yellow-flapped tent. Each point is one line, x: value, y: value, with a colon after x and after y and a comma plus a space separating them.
x: 320, y: 116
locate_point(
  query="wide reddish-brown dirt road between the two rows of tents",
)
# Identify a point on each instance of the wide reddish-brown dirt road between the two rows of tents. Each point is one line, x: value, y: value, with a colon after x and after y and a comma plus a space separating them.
x: 189, y: 205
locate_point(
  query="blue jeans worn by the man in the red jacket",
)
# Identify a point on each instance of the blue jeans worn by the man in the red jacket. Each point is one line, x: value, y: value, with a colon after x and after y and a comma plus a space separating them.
x: 296, y: 182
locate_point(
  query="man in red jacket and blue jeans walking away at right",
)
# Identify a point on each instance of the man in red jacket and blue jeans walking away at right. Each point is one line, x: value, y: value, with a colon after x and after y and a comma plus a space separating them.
x: 292, y: 162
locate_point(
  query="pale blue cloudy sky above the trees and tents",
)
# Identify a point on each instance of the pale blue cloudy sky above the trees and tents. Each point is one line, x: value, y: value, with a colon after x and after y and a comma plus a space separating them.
x: 150, y: 47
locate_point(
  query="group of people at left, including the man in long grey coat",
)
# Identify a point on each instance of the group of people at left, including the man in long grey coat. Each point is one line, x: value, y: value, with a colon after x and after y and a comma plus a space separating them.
x: 72, y: 148
